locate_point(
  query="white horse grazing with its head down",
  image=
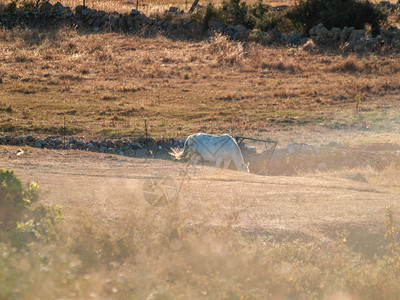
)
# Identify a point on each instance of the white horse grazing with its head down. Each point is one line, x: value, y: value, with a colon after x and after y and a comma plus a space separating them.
x: 212, y: 148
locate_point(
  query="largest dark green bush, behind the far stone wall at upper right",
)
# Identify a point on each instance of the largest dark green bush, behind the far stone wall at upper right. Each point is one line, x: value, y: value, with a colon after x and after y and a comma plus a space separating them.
x: 337, y: 13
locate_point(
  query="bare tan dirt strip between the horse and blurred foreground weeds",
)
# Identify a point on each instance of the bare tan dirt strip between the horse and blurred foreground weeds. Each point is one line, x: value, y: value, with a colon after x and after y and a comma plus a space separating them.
x: 311, y: 207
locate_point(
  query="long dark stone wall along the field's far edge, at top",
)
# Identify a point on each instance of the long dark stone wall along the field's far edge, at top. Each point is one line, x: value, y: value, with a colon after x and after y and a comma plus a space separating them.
x: 98, y: 20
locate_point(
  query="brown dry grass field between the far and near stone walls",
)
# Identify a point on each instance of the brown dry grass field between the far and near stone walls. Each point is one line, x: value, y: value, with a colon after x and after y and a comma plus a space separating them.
x: 107, y: 84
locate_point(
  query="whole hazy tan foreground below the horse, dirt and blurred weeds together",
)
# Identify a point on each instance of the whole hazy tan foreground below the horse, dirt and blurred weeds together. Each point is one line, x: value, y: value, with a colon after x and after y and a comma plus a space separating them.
x: 229, y: 236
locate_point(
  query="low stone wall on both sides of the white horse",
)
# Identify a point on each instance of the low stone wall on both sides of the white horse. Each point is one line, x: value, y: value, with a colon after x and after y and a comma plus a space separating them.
x: 285, y: 161
